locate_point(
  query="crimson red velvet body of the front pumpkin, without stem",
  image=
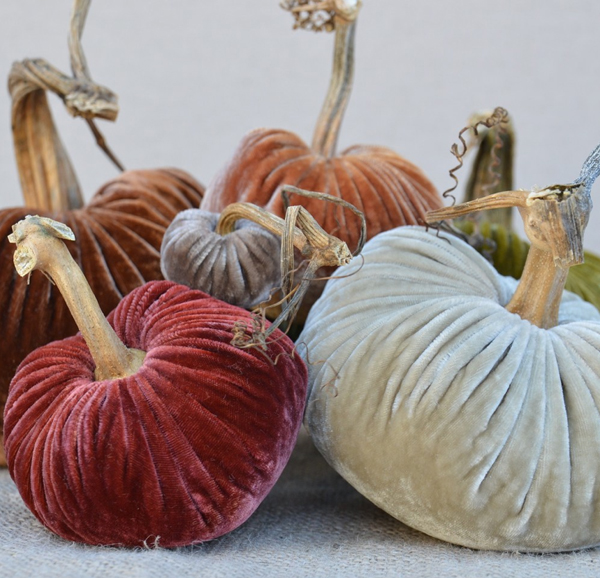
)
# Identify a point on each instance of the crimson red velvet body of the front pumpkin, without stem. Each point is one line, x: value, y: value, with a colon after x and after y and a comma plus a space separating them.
x: 180, y: 452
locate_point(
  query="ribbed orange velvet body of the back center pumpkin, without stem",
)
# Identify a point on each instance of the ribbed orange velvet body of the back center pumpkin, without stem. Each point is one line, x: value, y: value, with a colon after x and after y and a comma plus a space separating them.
x: 390, y: 190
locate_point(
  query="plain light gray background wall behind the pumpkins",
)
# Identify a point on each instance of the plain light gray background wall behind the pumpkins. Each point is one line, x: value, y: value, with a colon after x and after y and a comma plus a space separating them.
x: 194, y: 76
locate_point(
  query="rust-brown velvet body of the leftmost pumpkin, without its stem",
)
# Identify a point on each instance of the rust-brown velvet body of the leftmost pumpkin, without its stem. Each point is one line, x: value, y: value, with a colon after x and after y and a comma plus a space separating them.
x: 118, y: 234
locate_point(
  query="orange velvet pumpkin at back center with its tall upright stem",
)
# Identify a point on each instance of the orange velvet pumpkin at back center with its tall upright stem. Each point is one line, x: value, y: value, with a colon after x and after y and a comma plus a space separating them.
x: 387, y: 188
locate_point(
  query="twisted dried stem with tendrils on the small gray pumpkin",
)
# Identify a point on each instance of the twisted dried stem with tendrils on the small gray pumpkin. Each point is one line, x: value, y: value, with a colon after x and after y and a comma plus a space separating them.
x: 298, y: 230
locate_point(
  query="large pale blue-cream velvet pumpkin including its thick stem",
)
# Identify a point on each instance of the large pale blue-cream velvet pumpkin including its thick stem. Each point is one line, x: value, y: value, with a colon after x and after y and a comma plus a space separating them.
x: 462, y: 402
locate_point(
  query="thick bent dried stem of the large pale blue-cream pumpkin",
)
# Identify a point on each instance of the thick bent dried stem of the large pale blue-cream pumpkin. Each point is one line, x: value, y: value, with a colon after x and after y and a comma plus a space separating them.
x: 555, y: 219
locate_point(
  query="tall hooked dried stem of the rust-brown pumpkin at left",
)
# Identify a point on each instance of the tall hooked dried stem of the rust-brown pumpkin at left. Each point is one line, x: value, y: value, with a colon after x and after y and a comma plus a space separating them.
x: 47, y: 176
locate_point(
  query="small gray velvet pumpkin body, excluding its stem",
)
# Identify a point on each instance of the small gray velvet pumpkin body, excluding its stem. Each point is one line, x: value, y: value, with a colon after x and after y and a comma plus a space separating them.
x: 241, y: 268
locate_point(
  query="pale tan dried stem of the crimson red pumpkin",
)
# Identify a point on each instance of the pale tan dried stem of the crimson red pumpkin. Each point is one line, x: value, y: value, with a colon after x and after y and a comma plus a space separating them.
x: 40, y: 246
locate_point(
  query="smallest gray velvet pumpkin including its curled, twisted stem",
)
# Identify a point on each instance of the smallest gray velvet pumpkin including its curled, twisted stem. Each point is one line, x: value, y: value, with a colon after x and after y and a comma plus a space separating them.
x: 236, y: 257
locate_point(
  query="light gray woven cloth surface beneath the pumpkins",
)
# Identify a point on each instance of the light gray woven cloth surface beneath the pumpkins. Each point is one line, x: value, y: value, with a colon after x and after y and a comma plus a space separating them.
x: 312, y: 524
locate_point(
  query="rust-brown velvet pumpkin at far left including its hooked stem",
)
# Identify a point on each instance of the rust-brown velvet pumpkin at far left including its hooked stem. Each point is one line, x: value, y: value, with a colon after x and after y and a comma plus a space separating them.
x: 119, y: 231
